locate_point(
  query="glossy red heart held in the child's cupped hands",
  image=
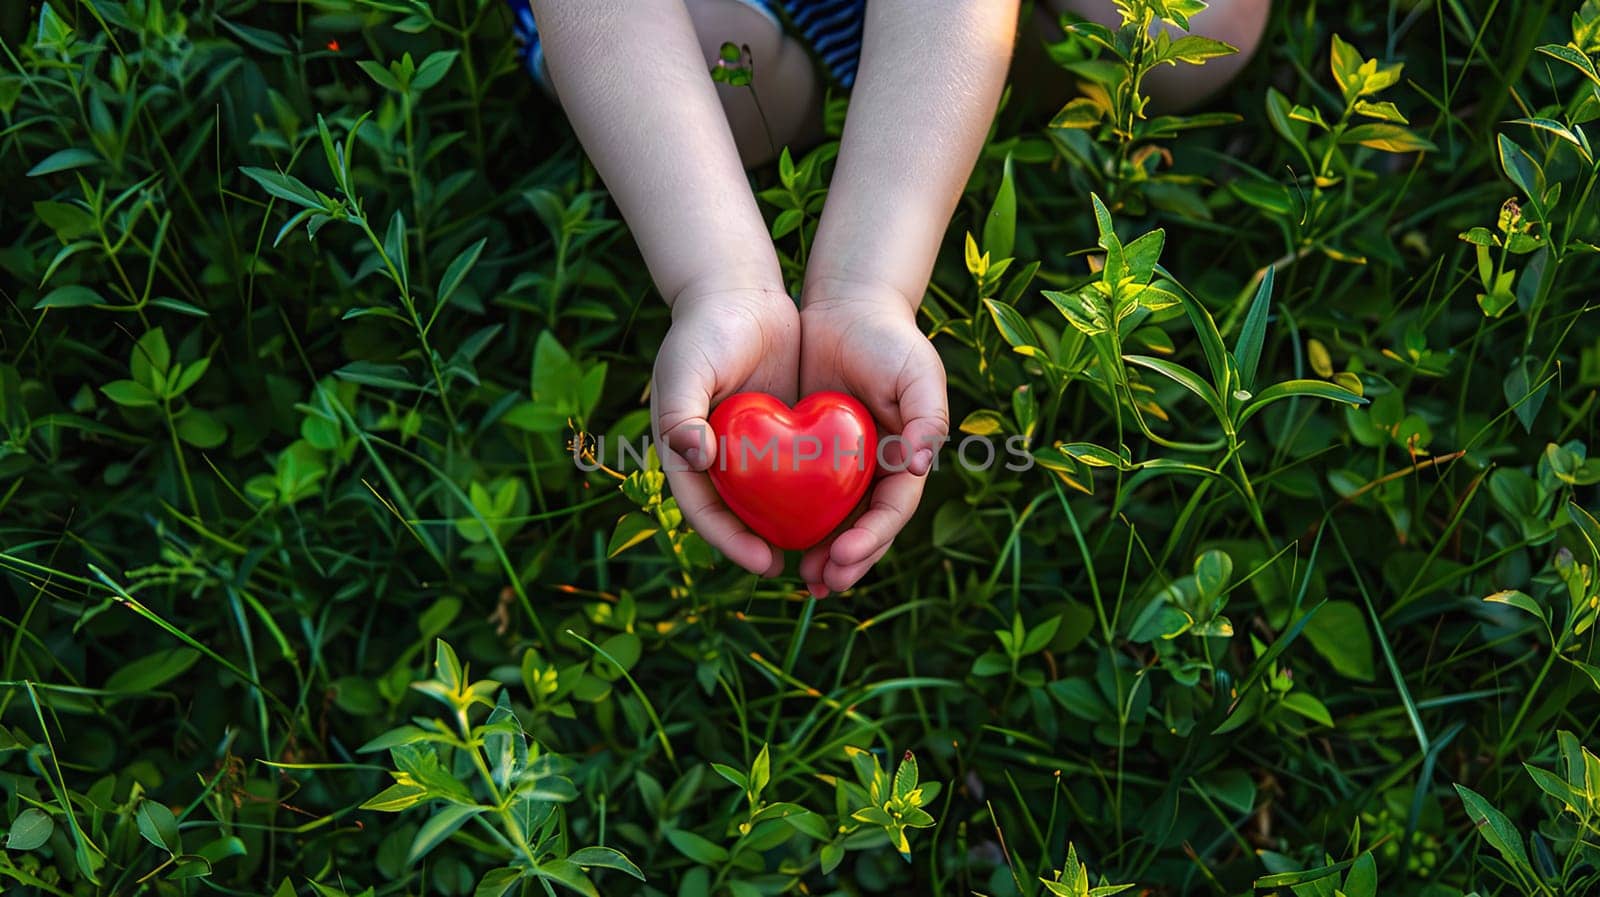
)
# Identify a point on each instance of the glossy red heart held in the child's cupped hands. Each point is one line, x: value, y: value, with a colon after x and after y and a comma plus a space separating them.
x: 793, y: 476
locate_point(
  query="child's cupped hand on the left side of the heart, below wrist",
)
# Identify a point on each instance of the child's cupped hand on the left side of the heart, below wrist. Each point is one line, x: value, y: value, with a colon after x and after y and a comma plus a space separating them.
x: 719, y: 345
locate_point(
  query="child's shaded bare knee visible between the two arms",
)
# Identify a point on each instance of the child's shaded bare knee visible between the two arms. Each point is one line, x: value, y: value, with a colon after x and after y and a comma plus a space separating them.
x: 785, y: 78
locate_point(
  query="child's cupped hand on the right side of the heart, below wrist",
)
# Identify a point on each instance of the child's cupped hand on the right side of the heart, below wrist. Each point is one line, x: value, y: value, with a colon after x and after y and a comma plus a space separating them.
x: 866, y: 343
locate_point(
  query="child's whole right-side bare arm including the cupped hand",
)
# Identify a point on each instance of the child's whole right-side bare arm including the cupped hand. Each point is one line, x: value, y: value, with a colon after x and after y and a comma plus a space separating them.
x: 927, y: 89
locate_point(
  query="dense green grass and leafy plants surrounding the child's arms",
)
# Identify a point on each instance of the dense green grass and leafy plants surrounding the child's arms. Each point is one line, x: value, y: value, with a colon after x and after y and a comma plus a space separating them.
x: 308, y: 303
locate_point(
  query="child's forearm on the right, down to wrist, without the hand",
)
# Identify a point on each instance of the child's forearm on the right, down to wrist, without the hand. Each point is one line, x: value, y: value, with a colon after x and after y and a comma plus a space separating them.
x: 927, y: 90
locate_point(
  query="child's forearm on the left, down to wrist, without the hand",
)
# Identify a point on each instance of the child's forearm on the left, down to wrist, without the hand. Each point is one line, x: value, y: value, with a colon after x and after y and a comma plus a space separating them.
x: 634, y: 84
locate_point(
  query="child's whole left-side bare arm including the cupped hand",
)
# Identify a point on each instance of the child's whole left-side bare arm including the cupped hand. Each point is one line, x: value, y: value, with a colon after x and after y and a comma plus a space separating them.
x: 638, y: 90
